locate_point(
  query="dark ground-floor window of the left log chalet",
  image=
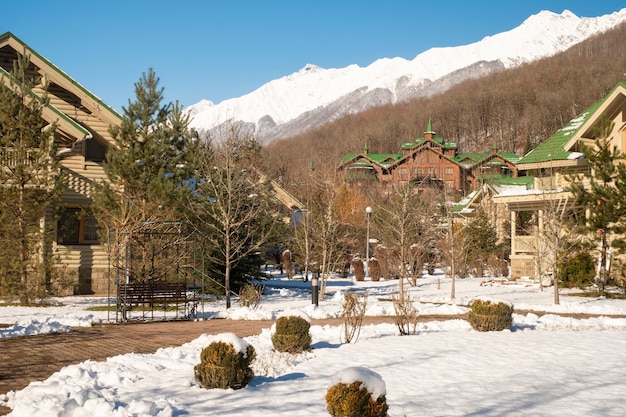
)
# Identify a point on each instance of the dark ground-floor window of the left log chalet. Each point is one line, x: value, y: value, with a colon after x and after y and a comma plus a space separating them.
x: 76, y: 227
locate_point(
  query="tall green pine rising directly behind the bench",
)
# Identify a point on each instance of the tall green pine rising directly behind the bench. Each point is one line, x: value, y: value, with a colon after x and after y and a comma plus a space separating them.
x: 140, y: 208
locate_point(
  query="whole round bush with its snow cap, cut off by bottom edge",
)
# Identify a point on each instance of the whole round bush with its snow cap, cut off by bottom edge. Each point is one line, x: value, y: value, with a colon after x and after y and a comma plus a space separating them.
x: 357, y: 391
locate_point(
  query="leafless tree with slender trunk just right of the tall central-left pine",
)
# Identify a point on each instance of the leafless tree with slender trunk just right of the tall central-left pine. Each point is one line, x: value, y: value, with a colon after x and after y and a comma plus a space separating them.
x: 232, y: 206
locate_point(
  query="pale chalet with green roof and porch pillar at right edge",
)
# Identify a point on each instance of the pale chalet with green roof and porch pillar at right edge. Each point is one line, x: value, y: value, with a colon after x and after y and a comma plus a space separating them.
x: 547, y: 165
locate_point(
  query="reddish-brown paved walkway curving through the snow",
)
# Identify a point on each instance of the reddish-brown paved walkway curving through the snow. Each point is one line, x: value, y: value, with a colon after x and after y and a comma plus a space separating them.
x: 35, y: 358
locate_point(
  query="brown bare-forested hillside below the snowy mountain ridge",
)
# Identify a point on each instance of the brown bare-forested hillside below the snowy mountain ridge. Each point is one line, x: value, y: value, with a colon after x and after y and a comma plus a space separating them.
x: 515, y: 109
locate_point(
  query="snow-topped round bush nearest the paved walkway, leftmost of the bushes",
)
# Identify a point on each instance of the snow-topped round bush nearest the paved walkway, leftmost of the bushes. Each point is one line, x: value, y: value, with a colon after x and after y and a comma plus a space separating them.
x: 225, y: 363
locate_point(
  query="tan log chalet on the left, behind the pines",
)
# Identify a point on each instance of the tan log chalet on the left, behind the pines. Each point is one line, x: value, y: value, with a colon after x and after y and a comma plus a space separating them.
x: 82, y: 137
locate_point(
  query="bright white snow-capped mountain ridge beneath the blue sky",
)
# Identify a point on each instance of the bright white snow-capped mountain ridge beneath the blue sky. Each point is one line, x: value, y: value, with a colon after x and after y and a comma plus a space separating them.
x: 314, y: 96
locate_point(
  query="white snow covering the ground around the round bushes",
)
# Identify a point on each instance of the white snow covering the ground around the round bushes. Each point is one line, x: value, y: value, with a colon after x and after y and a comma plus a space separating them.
x: 546, y: 365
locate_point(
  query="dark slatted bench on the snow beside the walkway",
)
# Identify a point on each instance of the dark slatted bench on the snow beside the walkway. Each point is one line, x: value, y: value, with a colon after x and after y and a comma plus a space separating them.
x: 155, y: 294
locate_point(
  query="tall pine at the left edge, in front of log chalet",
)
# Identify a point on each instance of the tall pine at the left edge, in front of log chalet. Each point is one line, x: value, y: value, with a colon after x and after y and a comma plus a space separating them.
x: 30, y: 185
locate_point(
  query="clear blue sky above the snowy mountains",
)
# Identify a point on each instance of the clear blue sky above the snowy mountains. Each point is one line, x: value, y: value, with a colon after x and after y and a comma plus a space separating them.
x: 216, y: 50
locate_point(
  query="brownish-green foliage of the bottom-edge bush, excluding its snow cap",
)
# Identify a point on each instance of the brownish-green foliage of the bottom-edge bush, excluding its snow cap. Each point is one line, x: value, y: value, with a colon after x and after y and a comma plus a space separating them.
x: 354, y: 400
